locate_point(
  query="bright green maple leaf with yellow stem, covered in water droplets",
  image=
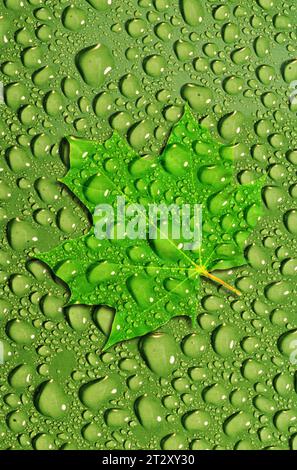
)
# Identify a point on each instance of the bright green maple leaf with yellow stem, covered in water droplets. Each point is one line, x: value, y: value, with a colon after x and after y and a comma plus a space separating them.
x: 150, y: 281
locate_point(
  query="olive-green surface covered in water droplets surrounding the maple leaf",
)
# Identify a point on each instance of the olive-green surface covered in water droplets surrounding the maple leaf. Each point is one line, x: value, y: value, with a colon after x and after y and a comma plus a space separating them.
x: 86, y: 70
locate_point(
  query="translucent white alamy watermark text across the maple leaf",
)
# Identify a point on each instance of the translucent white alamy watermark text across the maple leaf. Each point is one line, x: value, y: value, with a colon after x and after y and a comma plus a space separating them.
x: 155, y: 221
